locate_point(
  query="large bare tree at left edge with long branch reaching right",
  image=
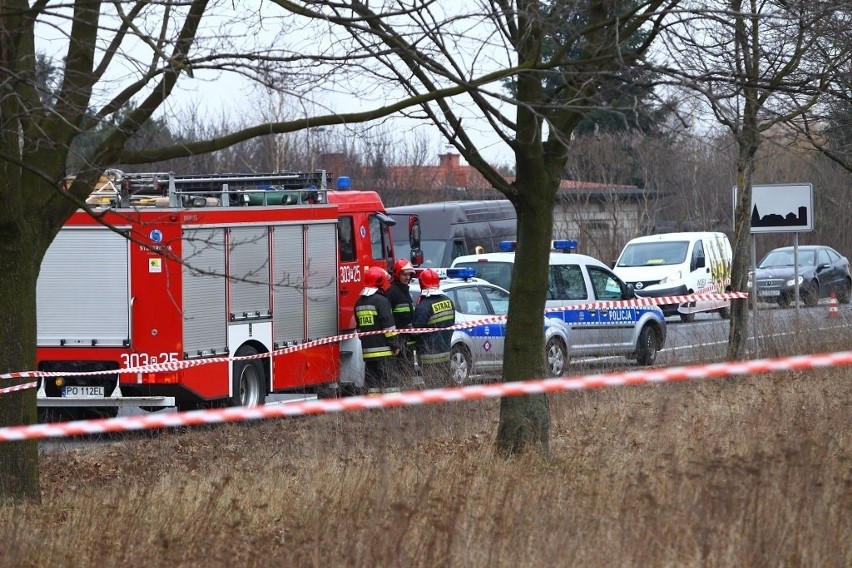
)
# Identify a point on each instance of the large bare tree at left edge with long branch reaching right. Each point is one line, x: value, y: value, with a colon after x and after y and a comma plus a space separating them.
x: 120, y: 62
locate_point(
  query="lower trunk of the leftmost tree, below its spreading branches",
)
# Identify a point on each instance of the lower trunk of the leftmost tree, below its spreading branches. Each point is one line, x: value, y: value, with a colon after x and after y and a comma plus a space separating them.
x: 19, y: 476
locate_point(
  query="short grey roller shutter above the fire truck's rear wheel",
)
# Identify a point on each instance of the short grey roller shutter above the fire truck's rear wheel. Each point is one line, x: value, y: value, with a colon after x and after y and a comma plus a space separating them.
x: 248, y: 267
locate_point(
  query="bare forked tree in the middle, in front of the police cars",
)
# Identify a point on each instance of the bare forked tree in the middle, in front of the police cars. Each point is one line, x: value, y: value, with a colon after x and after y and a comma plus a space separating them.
x: 556, y: 54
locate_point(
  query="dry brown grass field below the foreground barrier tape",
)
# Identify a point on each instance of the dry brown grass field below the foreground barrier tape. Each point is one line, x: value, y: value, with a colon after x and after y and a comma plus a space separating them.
x: 753, y: 471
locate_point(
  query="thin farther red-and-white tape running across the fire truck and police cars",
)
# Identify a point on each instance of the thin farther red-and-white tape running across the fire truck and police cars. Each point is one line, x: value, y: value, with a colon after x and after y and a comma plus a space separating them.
x: 187, y: 363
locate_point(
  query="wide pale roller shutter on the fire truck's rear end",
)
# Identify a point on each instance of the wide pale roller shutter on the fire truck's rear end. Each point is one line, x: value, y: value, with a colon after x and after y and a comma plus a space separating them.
x: 83, y: 290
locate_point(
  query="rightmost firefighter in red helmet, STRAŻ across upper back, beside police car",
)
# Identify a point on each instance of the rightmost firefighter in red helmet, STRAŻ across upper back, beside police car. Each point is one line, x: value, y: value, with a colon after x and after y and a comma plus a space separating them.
x: 434, y: 310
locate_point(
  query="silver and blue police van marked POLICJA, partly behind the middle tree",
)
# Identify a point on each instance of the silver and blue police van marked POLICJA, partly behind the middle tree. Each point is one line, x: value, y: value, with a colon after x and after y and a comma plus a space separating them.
x: 636, y: 332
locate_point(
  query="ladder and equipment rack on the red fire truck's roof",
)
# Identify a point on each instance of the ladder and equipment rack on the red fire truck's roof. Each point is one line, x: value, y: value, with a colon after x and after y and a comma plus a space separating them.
x: 224, y: 190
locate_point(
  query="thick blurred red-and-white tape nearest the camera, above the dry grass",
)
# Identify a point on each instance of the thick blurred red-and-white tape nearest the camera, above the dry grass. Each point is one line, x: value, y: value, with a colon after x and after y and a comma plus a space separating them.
x: 413, y: 398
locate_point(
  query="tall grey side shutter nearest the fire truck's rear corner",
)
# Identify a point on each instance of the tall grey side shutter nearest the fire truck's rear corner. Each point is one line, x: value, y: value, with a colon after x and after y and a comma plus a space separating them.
x: 204, y: 317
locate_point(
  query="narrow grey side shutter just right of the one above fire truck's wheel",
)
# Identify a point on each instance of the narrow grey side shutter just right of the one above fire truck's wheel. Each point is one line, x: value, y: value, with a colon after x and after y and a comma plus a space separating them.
x: 287, y: 284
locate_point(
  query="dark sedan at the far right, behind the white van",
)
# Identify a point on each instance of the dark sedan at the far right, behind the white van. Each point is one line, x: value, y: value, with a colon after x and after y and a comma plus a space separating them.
x: 821, y: 271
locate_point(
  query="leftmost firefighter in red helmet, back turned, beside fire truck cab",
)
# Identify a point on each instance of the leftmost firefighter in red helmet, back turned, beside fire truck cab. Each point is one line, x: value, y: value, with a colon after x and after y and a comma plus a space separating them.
x: 373, y: 313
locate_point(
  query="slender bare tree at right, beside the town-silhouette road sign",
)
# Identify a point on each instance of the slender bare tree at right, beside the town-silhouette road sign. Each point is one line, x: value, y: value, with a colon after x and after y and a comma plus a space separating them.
x: 749, y: 61
